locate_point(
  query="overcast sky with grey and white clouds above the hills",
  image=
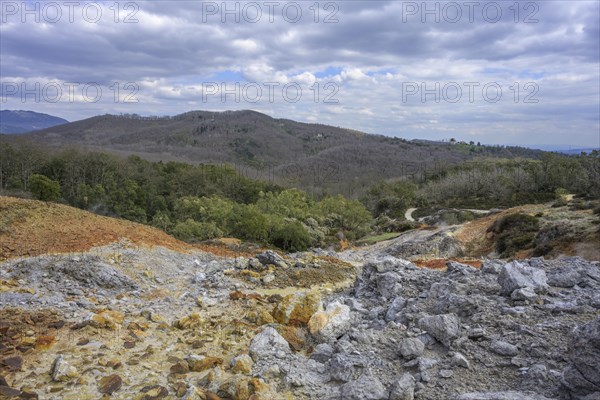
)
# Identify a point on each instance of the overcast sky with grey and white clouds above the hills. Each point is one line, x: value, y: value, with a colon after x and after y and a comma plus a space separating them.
x: 501, y: 72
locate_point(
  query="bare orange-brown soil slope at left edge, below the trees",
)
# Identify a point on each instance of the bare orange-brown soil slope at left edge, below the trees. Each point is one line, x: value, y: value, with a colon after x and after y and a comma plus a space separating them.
x: 30, y: 228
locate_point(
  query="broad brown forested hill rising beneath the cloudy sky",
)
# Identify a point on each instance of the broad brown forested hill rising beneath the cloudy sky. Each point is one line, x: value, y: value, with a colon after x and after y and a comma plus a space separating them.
x: 306, y: 155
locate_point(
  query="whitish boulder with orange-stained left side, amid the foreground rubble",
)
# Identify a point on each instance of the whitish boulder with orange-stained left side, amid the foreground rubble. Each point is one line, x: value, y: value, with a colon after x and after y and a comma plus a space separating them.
x: 331, y: 323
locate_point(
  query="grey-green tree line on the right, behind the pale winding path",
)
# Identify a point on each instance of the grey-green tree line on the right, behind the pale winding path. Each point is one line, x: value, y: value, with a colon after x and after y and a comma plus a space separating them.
x: 490, y: 183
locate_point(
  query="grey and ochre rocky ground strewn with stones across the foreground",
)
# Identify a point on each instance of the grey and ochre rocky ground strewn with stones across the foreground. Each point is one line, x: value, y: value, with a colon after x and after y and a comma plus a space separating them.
x: 128, y: 320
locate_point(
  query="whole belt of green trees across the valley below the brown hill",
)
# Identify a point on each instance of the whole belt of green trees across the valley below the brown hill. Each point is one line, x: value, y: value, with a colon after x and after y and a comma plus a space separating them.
x: 205, y: 201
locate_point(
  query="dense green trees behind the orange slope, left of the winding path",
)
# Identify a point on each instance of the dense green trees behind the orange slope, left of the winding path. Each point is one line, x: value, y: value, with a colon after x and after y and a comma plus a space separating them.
x: 192, y: 202
